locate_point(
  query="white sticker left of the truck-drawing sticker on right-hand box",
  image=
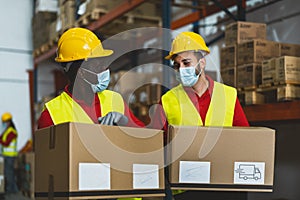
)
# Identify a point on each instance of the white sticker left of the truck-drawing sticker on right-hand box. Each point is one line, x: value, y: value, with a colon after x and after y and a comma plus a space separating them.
x: 194, y: 172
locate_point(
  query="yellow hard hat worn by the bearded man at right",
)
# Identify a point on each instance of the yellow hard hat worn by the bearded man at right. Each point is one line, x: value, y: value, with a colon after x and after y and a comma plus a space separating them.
x: 187, y: 41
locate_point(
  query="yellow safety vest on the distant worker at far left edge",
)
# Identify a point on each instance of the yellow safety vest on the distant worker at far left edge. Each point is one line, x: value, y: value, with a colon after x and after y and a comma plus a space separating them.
x: 11, y: 149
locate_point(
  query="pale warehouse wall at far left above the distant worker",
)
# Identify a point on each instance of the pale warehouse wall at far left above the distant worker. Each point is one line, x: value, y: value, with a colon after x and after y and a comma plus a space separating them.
x: 16, y: 59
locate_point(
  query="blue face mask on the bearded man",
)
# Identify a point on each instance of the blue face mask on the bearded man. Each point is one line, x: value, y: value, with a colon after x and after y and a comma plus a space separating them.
x: 187, y: 76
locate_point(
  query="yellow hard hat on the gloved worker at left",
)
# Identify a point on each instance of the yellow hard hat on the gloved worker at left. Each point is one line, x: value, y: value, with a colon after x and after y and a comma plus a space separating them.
x: 78, y: 44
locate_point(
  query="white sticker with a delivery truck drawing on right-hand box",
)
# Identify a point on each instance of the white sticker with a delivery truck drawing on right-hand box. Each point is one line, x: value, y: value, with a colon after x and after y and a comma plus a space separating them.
x: 249, y: 173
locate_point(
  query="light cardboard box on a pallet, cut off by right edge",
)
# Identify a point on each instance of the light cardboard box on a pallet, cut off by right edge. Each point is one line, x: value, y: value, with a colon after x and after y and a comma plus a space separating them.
x: 288, y: 69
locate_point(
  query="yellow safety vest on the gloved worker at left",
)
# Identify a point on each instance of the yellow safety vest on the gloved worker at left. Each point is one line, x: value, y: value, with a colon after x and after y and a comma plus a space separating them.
x: 64, y: 109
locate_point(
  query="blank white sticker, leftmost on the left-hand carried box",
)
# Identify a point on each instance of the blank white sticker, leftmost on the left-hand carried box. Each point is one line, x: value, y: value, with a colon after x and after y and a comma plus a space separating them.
x: 94, y: 176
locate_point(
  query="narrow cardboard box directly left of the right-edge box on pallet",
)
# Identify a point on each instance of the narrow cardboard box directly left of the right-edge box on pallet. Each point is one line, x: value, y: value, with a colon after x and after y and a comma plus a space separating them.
x: 268, y: 71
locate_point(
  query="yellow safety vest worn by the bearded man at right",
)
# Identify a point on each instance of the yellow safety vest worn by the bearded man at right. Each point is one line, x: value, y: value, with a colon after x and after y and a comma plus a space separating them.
x: 180, y: 110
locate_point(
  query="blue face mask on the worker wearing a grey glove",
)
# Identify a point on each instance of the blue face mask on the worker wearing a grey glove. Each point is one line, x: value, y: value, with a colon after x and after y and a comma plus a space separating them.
x: 103, y: 81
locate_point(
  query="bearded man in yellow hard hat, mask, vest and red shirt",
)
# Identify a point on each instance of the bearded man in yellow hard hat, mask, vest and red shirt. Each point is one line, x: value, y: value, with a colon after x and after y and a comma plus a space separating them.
x: 198, y: 100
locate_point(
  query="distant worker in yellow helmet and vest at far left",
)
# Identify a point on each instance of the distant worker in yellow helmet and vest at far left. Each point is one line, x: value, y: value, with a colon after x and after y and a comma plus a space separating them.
x: 8, y: 140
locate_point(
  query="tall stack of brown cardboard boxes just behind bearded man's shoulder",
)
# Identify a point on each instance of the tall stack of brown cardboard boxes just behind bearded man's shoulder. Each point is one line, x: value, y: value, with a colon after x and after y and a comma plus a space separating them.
x: 240, y: 57
